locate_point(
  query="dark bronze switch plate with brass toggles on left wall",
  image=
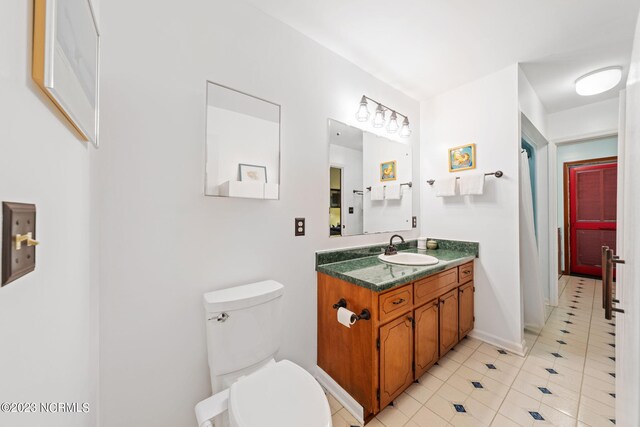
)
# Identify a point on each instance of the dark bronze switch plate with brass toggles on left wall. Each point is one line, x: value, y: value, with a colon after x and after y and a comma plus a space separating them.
x: 17, y: 218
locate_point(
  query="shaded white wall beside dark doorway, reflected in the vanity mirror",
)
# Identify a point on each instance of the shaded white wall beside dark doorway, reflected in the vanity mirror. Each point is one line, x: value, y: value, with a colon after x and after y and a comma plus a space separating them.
x: 350, y: 161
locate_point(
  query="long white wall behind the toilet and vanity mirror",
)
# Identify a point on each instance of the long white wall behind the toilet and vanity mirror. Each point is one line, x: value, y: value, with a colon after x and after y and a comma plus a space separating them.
x: 163, y: 244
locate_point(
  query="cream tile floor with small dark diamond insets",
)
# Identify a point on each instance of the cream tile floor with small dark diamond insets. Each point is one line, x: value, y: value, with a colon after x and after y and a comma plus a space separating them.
x: 566, y: 379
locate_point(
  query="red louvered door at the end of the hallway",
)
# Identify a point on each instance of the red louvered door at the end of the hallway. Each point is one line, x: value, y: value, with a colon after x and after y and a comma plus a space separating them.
x: 592, y: 193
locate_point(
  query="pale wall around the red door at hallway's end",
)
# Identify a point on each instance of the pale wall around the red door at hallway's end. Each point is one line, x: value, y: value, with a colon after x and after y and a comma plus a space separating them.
x: 571, y: 152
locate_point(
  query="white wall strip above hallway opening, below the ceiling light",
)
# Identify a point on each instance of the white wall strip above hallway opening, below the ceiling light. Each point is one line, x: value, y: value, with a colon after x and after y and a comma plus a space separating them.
x: 588, y: 121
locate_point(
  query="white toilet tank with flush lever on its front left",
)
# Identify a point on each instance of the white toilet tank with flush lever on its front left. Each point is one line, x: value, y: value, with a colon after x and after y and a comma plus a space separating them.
x: 244, y: 327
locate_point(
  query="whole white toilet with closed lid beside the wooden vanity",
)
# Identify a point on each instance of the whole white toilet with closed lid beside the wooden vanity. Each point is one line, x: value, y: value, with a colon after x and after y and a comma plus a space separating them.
x: 251, y: 389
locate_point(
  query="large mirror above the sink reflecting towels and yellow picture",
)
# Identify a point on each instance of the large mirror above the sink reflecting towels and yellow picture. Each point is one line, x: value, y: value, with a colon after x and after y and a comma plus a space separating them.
x: 370, y: 182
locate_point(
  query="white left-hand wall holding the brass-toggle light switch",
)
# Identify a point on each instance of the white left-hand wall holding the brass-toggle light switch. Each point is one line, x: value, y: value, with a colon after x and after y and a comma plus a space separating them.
x: 48, y: 319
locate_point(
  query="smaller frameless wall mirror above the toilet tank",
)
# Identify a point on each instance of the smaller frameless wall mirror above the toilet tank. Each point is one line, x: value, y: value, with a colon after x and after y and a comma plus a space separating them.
x: 242, y: 145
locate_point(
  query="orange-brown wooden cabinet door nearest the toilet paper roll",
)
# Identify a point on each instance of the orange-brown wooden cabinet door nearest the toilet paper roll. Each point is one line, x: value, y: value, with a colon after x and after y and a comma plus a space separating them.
x: 396, y: 354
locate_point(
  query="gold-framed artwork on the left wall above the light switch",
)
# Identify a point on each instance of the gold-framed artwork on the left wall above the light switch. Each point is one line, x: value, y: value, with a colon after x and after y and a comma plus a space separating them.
x: 66, y: 46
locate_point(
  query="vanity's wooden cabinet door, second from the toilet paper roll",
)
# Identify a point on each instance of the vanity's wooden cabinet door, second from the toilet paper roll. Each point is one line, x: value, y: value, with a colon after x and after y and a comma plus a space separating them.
x: 426, y: 337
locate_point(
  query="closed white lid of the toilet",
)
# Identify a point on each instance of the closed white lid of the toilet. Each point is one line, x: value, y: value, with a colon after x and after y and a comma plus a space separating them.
x: 281, y: 395
